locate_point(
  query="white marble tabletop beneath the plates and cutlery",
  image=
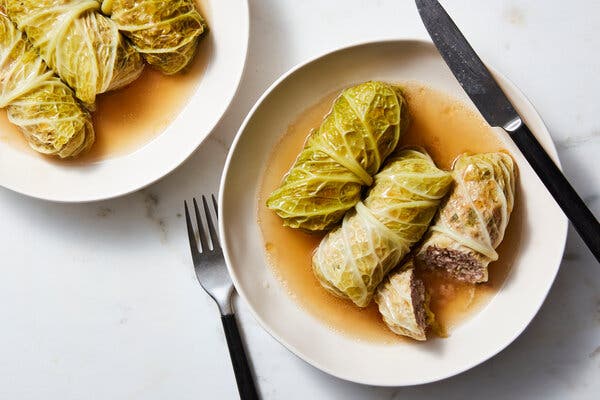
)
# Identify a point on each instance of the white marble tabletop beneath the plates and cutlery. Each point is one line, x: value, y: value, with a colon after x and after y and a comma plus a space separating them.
x: 99, y: 301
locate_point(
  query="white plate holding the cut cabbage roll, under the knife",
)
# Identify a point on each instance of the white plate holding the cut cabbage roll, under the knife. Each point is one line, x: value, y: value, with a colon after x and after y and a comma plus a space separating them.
x: 492, y: 329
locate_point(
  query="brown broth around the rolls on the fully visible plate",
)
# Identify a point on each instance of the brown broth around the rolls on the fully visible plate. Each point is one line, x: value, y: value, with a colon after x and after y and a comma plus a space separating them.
x: 446, y: 128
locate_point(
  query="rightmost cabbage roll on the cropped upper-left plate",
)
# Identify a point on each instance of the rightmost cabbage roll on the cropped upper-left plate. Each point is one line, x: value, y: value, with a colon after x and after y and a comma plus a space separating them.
x: 166, y: 33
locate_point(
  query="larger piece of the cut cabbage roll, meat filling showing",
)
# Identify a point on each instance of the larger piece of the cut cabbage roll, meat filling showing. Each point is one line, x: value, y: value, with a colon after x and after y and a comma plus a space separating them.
x: 472, y: 221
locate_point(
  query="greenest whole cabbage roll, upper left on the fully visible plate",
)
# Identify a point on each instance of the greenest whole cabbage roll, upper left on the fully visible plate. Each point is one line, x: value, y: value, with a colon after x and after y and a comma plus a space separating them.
x: 341, y: 157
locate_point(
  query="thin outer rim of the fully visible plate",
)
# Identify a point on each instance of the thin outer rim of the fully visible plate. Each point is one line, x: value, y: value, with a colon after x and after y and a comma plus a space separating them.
x: 239, y: 289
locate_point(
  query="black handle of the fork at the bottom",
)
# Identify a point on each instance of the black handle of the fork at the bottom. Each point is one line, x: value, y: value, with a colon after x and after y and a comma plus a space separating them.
x: 241, y: 367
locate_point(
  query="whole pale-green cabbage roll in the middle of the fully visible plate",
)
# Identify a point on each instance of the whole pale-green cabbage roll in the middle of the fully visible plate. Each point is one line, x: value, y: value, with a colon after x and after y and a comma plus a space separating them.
x: 353, y: 259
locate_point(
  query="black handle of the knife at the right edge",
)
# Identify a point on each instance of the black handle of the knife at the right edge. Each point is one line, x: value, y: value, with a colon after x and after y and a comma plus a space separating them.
x: 567, y: 198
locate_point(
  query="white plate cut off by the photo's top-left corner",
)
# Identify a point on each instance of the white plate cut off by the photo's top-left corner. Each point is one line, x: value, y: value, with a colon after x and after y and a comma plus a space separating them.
x: 34, y: 176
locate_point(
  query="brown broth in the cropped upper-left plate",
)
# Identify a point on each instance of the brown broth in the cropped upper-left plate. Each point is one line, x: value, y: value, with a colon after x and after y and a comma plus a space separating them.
x: 127, y: 119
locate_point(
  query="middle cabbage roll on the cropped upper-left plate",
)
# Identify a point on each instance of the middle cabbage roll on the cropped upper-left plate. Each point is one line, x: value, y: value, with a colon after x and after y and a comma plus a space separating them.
x: 82, y: 46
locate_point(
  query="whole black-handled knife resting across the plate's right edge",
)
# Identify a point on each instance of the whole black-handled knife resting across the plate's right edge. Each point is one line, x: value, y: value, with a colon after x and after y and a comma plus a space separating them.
x: 498, y: 111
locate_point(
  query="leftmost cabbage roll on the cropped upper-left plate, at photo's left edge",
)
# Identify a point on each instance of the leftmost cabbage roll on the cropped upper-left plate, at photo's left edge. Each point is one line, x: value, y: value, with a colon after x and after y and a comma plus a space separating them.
x: 40, y: 104
